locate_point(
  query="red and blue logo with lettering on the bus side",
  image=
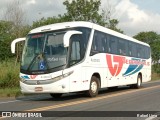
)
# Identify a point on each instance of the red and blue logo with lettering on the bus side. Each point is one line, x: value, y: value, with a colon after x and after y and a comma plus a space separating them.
x: 116, y: 63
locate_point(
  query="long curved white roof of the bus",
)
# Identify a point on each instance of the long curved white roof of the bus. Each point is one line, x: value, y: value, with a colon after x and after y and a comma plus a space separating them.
x: 58, y: 26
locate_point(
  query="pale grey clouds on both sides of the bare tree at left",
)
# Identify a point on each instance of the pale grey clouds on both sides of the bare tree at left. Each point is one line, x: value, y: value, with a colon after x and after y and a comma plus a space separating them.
x: 36, y: 9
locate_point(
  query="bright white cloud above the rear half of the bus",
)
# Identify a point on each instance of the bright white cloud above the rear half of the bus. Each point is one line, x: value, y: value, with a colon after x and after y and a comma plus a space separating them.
x: 134, y: 20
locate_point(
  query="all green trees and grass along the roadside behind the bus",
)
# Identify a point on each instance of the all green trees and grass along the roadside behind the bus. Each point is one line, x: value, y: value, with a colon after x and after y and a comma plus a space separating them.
x: 14, y: 26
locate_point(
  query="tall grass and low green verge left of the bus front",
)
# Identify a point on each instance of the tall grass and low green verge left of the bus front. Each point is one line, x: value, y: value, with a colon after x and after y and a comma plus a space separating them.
x: 9, y: 78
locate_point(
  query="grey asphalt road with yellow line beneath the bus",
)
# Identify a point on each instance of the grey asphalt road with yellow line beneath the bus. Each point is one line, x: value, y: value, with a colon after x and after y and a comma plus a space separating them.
x: 121, y: 100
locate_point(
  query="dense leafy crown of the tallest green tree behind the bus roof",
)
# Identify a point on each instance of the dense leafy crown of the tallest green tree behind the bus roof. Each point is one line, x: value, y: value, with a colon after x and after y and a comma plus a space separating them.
x: 83, y: 10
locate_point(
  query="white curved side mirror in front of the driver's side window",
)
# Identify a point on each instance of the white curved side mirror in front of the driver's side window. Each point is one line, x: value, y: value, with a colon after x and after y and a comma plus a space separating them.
x: 67, y: 36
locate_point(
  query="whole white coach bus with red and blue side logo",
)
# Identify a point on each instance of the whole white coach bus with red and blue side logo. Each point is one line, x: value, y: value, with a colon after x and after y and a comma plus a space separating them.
x: 81, y: 56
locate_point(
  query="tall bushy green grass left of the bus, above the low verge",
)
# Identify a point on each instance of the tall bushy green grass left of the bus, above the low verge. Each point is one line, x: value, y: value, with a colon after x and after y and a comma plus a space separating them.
x: 9, y: 74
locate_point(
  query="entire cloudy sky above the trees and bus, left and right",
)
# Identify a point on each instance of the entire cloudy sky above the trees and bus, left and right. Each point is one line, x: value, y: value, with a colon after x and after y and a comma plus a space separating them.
x: 134, y: 15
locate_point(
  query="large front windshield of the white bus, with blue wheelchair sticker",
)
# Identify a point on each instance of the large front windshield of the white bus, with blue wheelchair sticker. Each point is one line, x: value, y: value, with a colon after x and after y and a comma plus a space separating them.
x: 43, y: 51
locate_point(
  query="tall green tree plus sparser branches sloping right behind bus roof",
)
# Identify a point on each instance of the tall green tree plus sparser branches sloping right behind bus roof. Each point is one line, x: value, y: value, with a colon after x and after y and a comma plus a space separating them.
x: 88, y: 10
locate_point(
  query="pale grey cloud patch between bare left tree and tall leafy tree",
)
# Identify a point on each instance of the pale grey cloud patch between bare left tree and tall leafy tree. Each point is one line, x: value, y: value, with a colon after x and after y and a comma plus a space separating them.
x: 37, y: 9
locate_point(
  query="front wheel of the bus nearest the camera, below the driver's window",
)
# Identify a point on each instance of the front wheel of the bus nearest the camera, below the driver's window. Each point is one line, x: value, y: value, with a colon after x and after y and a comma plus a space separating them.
x: 94, y: 87
